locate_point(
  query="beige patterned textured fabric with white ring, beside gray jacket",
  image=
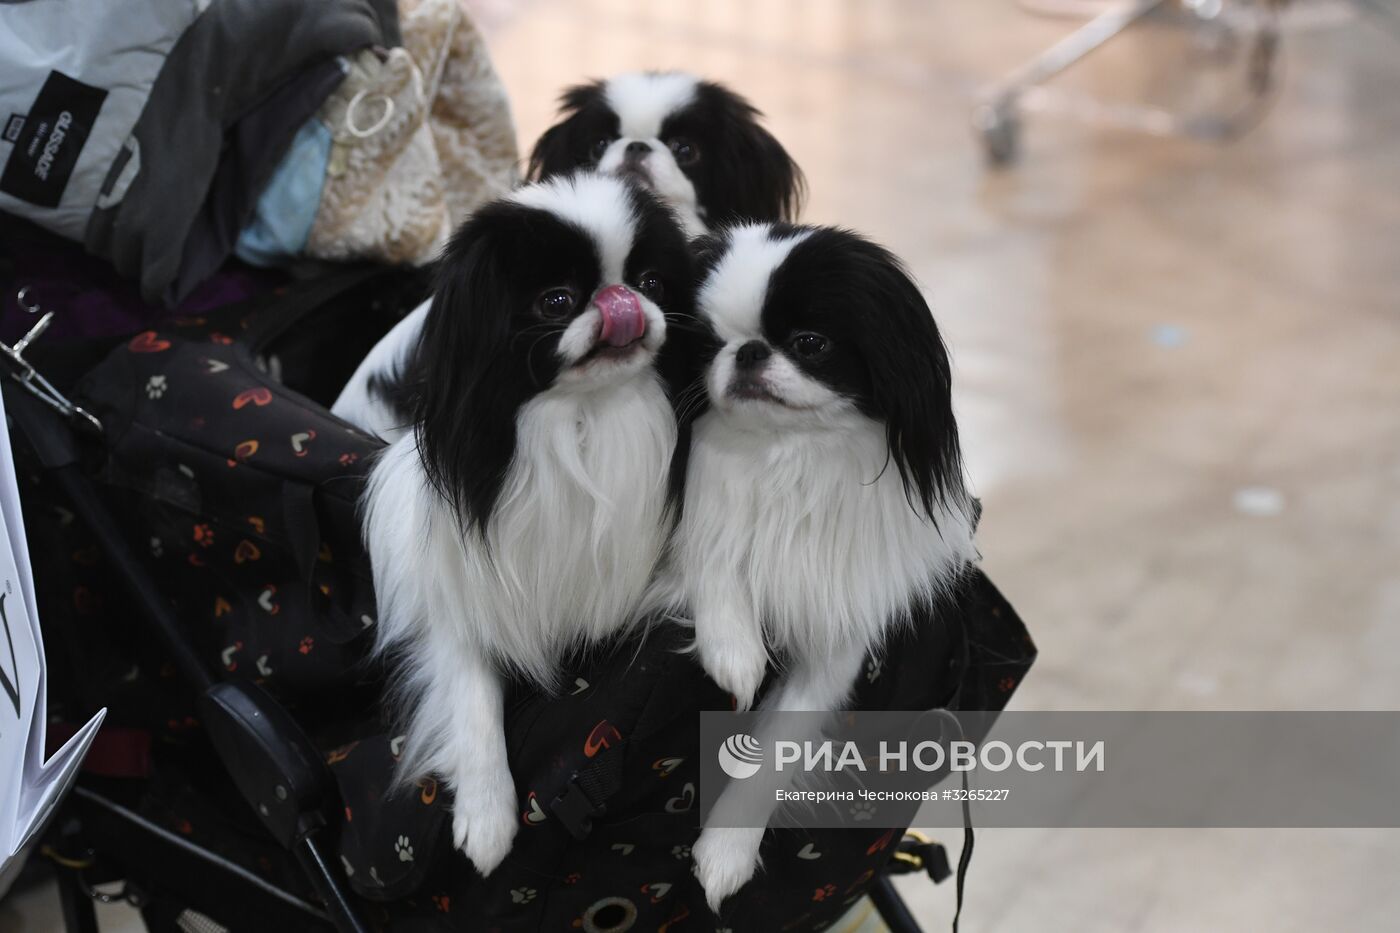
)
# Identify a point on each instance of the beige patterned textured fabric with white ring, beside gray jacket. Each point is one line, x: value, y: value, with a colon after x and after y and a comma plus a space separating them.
x: 421, y: 138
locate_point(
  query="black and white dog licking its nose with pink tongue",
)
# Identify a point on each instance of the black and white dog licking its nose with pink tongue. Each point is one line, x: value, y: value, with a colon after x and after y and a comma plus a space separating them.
x: 526, y: 513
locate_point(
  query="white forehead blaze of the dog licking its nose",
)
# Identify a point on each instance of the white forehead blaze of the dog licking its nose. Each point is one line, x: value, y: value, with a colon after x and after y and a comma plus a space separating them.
x: 600, y: 205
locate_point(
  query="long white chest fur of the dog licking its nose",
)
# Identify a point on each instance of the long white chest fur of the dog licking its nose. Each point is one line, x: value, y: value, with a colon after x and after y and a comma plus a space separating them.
x: 575, y: 537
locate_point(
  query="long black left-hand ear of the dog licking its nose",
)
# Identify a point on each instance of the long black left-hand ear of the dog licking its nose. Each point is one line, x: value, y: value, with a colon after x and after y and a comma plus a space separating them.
x: 464, y: 403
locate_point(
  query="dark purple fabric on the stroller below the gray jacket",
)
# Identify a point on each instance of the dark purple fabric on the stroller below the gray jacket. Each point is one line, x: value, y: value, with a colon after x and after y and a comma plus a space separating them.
x: 90, y: 298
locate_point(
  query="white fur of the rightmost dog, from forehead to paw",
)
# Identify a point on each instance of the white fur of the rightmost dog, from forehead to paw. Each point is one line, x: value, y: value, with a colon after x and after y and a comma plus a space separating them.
x: 797, y: 539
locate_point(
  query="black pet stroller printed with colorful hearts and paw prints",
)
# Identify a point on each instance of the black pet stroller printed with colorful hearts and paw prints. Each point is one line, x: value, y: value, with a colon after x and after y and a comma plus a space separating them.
x: 201, y: 574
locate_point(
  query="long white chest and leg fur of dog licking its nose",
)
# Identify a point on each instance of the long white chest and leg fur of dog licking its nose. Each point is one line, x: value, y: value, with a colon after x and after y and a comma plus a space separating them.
x: 565, y: 560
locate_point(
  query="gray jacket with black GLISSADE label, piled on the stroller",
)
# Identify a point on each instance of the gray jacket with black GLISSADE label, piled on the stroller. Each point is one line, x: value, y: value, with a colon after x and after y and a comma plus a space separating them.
x: 146, y: 128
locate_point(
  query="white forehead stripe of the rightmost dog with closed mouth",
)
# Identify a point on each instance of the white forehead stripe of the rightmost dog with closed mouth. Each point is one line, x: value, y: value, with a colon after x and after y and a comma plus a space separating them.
x: 733, y: 295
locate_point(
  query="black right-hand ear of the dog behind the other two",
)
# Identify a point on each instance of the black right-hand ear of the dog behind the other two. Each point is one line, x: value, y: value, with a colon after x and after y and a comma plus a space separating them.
x: 766, y: 183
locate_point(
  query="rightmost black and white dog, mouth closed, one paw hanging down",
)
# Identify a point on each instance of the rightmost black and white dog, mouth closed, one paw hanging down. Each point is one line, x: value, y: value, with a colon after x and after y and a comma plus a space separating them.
x: 825, y: 498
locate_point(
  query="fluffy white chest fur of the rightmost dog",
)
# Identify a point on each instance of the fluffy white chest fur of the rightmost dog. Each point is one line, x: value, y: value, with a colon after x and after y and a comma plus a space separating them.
x: 810, y: 533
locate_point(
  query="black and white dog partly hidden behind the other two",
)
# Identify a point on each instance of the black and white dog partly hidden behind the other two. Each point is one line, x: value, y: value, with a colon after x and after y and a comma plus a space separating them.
x: 696, y: 145
